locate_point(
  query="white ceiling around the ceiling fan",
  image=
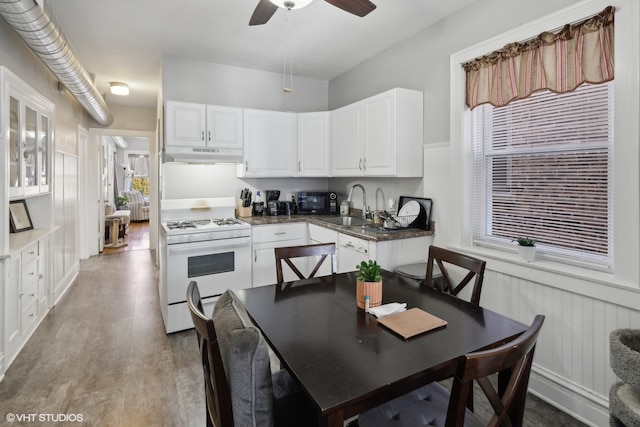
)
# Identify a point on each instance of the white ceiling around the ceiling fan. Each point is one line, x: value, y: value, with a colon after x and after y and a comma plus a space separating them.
x: 123, y: 40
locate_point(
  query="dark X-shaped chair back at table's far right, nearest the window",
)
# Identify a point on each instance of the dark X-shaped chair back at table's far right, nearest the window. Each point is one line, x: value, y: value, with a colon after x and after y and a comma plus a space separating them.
x: 474, y: 265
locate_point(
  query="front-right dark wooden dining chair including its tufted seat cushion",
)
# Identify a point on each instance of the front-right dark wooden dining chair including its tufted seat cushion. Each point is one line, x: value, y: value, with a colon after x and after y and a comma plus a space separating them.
x: 433, y: 405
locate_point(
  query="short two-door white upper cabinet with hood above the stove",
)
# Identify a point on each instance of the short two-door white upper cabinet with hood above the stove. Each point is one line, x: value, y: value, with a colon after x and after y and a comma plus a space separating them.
x: 193, y: 131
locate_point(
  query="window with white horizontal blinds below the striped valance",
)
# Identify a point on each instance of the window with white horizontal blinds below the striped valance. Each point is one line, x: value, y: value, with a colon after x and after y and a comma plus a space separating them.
x: 542, y: 168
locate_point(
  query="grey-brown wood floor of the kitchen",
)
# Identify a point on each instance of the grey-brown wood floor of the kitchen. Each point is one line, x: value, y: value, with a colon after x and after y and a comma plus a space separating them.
x: 102, y: 354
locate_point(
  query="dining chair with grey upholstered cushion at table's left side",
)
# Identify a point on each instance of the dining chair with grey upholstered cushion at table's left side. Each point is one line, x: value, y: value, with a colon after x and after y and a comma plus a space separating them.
x: 235, y: 357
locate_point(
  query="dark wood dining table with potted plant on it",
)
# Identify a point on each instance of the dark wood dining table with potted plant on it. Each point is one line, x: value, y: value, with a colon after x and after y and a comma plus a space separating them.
x: 345, y: 361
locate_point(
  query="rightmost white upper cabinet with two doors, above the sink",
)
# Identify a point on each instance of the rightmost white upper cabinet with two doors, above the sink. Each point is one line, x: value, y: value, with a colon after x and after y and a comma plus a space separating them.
x: 379, y: 136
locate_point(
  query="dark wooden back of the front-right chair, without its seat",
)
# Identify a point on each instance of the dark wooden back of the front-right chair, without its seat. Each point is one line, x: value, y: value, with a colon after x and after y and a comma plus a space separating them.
x: 513, y: 363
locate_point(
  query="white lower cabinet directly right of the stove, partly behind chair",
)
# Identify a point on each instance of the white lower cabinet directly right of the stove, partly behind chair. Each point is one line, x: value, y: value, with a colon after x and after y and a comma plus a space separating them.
x: 265, y: 238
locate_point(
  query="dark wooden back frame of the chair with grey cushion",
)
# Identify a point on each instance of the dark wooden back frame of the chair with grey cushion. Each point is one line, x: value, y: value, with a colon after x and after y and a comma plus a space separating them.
x: 217, y: 394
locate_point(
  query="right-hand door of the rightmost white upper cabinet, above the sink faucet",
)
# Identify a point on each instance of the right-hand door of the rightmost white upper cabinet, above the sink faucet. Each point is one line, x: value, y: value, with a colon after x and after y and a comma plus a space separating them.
x: 380, y: 135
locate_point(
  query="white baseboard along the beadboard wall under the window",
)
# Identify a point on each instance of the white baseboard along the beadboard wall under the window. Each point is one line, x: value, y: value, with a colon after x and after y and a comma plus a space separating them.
x: 580, y: 403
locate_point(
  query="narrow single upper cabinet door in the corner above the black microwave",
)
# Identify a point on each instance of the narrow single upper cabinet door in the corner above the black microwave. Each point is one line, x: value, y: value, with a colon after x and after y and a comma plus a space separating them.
x: 313, y: 144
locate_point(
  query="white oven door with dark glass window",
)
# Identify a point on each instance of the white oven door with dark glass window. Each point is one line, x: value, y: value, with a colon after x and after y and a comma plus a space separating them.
x: 216, y: 266
